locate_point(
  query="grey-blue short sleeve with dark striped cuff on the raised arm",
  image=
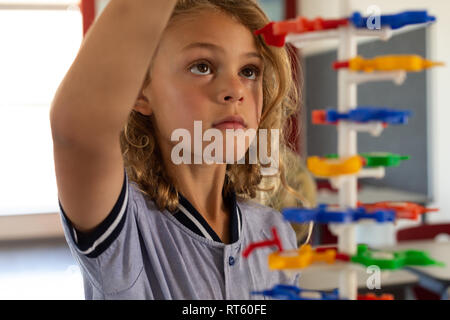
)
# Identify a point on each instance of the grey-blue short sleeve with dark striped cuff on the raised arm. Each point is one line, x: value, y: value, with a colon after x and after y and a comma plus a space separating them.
x: 113, y: 249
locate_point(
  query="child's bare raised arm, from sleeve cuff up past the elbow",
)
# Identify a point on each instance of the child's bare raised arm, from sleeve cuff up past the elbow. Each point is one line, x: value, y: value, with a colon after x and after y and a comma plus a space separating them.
x: 92, y: 104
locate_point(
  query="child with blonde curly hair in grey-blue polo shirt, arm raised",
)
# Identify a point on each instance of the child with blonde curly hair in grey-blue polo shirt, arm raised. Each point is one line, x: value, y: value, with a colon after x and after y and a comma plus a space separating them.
x: 140, y: 225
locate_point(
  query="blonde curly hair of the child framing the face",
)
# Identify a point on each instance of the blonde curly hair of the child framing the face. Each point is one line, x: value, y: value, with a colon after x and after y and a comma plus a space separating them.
x: 142, y: 155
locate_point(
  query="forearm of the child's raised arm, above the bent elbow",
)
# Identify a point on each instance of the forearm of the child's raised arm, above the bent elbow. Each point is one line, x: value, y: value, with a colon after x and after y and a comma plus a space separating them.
x: 99, y: 90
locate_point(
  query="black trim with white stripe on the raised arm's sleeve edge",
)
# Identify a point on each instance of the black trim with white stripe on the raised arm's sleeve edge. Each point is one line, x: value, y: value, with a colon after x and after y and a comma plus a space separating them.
x: 95, y: 242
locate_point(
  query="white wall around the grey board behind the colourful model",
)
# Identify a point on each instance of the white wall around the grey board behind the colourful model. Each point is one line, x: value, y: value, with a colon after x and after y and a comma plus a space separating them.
x: 439, y: 85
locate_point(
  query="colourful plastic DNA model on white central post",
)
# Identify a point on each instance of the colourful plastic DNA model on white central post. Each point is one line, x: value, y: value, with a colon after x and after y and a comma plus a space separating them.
x: 346, y: 166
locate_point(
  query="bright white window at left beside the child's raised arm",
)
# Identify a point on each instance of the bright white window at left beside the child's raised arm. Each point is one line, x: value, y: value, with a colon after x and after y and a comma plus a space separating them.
x: 39, y: 41
